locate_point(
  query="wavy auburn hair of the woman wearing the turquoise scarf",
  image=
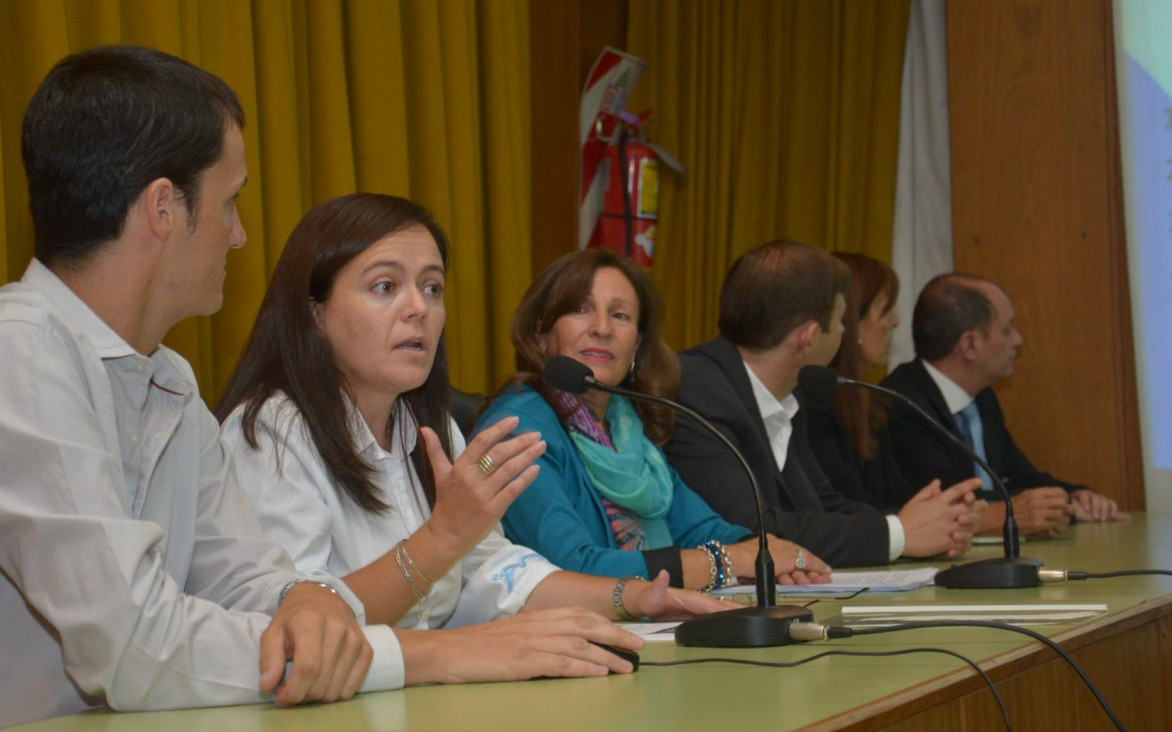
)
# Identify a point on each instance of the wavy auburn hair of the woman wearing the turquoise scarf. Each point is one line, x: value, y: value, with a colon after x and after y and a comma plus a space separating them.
x: 561, y: 289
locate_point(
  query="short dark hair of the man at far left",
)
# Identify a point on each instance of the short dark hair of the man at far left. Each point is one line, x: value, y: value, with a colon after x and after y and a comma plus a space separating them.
x: 105, y: 125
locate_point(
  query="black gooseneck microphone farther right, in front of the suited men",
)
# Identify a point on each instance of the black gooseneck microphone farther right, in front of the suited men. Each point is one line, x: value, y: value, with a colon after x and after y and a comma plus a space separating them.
x: 1010, y: 572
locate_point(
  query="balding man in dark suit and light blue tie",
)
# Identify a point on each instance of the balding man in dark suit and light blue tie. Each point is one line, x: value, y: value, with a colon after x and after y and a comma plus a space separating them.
x: 966, y: 341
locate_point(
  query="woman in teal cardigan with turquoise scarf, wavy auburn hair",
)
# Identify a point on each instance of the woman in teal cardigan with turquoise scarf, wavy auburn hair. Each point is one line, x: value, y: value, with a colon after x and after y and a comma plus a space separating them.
x: 607, y: 502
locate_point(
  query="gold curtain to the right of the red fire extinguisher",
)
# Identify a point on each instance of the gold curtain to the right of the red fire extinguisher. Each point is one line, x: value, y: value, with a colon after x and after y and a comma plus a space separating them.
x: 786, y: 115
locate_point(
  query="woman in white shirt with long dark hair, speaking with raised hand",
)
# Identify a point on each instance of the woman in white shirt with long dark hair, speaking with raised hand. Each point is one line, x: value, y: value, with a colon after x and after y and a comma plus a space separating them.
x: 338, y: 420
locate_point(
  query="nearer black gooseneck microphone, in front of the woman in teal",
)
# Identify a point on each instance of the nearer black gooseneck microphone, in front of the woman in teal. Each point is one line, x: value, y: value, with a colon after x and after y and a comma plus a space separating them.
x: 758, y: 627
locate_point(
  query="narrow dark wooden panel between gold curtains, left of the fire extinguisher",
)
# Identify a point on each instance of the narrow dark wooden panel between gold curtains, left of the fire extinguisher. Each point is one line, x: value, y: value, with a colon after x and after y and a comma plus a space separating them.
x: 565, y: 39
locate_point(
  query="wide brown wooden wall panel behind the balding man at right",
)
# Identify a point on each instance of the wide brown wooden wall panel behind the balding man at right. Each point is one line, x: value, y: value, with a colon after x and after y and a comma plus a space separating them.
x: 1037, y: 208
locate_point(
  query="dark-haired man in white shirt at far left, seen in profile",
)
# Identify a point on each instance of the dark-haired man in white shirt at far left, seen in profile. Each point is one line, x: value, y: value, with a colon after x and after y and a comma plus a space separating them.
x: 133, y: 572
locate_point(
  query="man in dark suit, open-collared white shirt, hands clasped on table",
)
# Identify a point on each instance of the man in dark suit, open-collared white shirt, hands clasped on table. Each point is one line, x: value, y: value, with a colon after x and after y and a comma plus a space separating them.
x: 782, y: 309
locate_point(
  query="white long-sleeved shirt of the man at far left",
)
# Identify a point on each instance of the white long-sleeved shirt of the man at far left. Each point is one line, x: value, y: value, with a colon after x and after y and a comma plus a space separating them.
x: 133, y: 571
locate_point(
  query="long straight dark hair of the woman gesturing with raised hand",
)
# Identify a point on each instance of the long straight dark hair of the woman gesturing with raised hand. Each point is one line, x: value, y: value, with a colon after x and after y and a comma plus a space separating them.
x: 287, y: 351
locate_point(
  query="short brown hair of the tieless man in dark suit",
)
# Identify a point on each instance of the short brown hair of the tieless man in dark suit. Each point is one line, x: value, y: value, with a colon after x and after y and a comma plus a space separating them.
x: 776, y: 288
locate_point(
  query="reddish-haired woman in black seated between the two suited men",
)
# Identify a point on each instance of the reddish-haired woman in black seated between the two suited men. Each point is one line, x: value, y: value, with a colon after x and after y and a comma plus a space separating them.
x: 849, y: 430
